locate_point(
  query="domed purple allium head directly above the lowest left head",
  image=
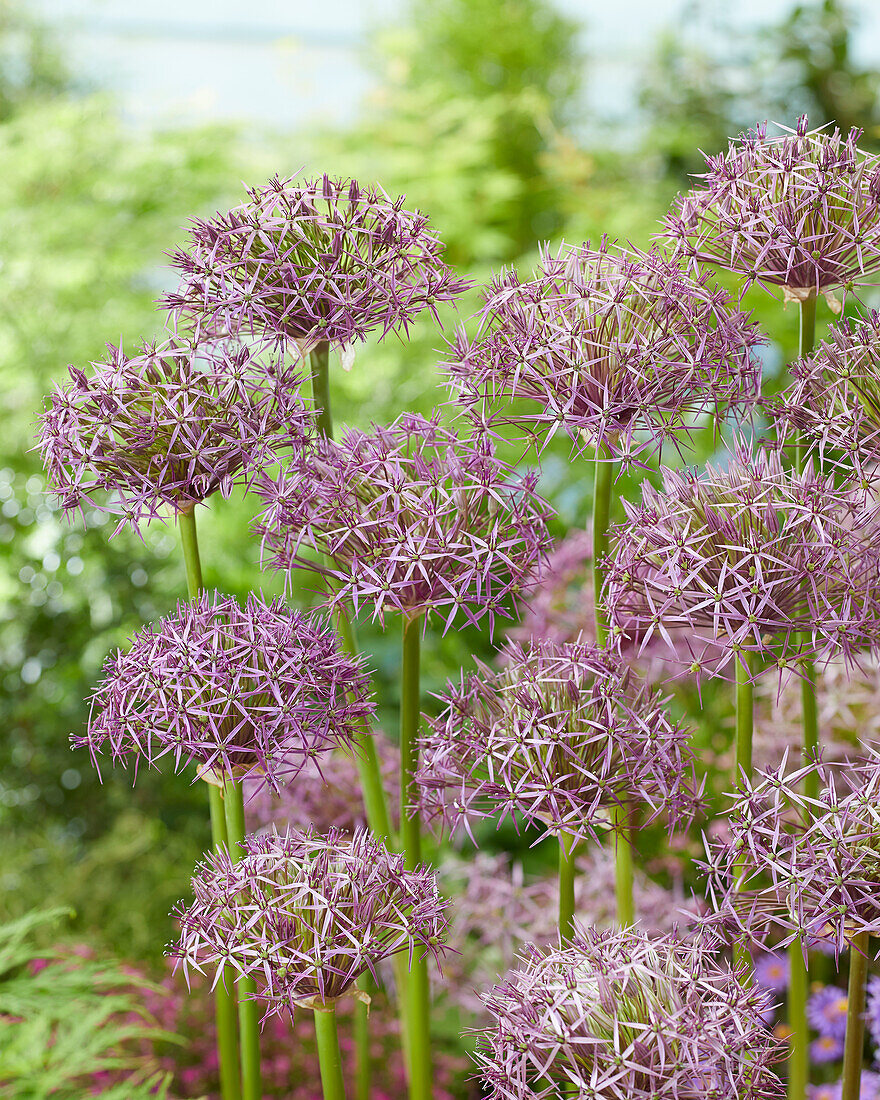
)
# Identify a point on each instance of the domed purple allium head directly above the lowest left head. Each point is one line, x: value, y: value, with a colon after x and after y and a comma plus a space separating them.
x: 255, y: 691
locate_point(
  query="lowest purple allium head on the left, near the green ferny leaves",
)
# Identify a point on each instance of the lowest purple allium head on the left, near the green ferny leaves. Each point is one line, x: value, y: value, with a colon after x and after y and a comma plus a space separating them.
x: 307, y: 915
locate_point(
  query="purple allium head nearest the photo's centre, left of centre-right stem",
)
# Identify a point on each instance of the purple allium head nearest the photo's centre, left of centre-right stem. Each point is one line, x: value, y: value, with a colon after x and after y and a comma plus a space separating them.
x: 413, y: 519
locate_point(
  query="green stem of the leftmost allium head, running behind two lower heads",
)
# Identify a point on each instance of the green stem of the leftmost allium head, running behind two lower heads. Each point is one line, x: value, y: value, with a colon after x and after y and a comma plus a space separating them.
x: 226, y: 1014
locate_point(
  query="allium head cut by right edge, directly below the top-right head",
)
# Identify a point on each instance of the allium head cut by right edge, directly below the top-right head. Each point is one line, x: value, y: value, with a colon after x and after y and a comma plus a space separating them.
x: 834, y: 402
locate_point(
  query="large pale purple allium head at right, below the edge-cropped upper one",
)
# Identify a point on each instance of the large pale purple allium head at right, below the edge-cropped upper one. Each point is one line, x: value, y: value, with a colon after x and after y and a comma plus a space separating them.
x: 750, y: 558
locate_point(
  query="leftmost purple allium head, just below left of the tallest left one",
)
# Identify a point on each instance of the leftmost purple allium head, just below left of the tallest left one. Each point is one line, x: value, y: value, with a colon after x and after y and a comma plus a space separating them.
x: 169, y: 427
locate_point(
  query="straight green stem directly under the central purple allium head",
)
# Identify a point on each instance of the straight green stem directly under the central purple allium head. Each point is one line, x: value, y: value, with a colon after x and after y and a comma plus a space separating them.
x: 416, y: 1004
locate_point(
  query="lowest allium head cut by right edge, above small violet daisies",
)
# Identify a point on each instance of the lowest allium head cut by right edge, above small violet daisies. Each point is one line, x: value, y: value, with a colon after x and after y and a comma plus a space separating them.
x: 799, y: 868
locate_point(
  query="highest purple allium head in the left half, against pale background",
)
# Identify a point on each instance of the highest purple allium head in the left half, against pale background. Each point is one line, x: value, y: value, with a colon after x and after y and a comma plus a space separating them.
x: 323, y: 260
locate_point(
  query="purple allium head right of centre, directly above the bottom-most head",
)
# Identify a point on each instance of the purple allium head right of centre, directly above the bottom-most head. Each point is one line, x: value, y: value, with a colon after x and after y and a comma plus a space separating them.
x: 562, y: 736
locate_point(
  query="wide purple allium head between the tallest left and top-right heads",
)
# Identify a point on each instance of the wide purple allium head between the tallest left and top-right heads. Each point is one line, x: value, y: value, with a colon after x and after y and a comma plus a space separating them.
x: 618, y: 348
